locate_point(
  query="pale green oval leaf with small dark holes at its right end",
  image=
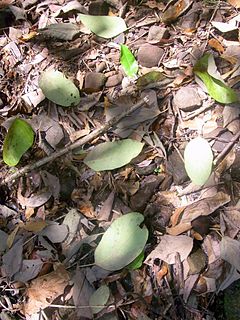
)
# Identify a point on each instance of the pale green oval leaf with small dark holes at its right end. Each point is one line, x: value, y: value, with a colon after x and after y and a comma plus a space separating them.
x: 57, y: 88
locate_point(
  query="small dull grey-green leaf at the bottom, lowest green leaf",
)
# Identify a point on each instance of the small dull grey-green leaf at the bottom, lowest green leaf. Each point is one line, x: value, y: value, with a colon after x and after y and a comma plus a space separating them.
x: 99, y: 299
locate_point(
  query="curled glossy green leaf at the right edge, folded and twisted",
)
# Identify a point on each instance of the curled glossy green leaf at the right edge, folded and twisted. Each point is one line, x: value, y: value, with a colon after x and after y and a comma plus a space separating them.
x: 216, y: 88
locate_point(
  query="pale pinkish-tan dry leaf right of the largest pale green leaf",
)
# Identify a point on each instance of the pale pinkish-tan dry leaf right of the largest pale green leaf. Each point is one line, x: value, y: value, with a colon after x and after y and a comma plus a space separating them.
x: 167, y: 248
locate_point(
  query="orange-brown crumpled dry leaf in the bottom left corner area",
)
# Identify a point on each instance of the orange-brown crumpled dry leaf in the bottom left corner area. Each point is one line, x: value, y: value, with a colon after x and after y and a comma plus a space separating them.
x: 45, y: 289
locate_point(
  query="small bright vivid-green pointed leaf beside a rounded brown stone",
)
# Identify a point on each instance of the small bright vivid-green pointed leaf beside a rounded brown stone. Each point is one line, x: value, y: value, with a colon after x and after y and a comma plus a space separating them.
x: 128, y: 61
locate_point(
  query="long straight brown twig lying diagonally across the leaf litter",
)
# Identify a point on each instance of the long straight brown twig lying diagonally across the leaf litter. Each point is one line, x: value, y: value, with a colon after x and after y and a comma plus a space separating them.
x: 93, y: 135
